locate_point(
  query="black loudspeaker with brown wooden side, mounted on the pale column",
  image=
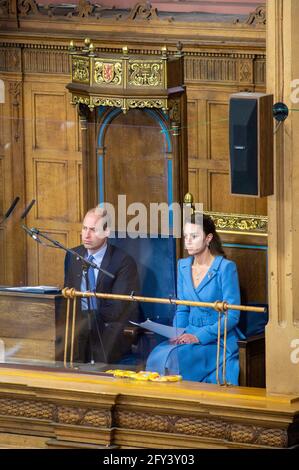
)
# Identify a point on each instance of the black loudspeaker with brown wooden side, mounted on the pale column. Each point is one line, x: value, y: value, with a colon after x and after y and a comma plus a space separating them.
x: 251, y: 144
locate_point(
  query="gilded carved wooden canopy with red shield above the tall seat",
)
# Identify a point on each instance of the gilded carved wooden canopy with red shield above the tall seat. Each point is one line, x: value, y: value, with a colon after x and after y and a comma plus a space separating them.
x: 124, y: 80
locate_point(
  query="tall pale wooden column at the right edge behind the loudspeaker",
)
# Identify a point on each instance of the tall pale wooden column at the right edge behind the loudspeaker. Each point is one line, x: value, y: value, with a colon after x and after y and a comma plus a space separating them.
x: 282, y: 333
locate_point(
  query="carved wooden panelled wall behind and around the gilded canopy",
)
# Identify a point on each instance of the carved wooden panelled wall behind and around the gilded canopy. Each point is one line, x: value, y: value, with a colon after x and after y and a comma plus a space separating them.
x: 40, y: 146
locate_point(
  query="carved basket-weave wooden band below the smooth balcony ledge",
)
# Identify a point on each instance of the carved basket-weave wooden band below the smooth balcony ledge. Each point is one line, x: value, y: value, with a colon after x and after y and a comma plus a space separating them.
x: 206, y: 427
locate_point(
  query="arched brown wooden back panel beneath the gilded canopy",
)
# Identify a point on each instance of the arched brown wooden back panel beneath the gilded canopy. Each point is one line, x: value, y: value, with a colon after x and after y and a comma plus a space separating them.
x: 135, y: 162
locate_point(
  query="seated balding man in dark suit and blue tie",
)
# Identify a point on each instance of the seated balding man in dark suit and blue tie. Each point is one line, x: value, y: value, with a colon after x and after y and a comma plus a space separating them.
x: 101, y: 322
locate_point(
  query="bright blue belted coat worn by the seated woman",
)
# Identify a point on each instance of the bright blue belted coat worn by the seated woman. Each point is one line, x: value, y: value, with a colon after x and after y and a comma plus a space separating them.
x: 197, y: 361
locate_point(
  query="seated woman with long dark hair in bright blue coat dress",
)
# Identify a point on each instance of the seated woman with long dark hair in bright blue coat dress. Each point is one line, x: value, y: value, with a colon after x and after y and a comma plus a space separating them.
x: 205, y: 276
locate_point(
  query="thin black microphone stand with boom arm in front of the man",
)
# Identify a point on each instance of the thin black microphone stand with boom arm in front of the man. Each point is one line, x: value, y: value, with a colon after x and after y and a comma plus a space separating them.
x: 86, y: 264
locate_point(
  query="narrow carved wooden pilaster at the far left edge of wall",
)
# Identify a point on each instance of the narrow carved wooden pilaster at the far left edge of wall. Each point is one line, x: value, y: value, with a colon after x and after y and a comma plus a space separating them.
x: 13, y: 249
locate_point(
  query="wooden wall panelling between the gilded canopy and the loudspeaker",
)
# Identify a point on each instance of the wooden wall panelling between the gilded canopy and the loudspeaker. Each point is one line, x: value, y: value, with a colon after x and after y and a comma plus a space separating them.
x: 209, y: 162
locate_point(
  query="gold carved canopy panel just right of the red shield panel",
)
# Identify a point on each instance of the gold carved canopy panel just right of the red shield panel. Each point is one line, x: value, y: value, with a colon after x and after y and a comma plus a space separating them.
x: 145, y: 73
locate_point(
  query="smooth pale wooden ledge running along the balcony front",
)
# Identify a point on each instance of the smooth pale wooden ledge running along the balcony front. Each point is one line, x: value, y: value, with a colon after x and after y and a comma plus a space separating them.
x: 177, y: 390
